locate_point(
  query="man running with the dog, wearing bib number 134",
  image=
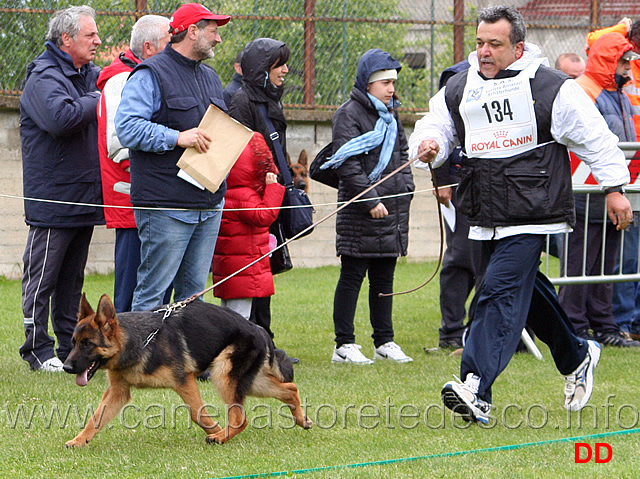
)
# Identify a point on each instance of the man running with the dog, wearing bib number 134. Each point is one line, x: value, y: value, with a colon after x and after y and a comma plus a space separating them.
x: 515, y: 118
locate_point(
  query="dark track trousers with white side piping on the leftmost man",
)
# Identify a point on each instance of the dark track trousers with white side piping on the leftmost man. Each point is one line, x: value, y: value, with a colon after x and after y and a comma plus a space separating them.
x: 54, y: 262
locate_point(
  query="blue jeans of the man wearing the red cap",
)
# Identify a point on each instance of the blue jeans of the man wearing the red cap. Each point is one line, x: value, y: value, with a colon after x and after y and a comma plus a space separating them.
x: 173, y: 251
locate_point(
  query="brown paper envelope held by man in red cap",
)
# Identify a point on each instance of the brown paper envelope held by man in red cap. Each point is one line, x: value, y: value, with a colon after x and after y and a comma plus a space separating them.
x: 228, y: 139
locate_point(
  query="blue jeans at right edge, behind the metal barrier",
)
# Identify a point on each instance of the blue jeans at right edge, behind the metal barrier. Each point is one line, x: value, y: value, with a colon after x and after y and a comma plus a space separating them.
x: 626, y: 296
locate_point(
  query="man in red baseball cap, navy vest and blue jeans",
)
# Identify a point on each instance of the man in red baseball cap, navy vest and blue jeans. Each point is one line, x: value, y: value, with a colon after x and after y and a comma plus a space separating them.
x: 162, y: 104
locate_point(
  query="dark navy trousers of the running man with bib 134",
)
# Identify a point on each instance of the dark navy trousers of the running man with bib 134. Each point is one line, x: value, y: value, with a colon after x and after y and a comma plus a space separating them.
x: 512, y: 294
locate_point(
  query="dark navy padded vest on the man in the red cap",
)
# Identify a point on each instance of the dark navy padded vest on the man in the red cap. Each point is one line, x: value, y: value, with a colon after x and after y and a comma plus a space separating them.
x: 187, y: 89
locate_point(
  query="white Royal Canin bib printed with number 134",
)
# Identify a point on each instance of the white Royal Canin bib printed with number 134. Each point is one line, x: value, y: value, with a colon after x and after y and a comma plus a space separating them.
x: 498, y: 115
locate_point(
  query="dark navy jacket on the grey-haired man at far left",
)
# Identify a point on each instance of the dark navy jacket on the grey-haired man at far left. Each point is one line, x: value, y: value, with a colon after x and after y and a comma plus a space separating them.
x: 58, y: 129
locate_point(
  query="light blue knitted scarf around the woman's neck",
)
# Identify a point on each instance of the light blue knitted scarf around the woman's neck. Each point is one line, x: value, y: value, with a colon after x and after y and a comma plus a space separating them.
x: 385, y: 132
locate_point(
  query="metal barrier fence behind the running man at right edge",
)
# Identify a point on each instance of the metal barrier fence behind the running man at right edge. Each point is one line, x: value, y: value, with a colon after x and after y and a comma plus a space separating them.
x: 625, y: 248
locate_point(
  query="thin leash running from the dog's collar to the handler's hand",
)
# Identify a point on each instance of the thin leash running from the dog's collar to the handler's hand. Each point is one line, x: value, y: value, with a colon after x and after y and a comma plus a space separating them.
x: 181, y: 304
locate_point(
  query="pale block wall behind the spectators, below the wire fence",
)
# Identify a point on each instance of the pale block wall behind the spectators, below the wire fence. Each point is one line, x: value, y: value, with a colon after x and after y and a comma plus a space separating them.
x: 307, y: 130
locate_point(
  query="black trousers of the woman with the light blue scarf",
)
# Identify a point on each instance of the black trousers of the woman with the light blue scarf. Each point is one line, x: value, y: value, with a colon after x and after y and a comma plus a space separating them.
x: 352, y: 273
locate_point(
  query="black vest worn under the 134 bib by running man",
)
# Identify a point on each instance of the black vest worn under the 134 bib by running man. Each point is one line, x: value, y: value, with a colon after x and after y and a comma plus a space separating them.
x: 530, y: 188
